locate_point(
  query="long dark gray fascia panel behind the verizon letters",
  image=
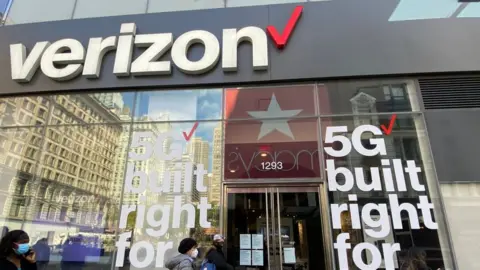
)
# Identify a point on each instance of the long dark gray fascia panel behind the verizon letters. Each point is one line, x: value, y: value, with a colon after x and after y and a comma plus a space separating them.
x: 333, y: 39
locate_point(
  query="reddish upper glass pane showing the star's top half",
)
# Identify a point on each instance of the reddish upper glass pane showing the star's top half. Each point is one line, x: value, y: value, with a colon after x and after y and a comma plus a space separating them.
x: 269, y: 102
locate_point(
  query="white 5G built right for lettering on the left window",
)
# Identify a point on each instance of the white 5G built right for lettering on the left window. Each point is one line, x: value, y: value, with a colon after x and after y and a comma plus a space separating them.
x: 159, y: 218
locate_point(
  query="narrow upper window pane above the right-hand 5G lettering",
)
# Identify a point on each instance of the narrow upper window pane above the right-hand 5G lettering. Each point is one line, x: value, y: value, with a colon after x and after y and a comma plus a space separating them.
x: 367, y: 97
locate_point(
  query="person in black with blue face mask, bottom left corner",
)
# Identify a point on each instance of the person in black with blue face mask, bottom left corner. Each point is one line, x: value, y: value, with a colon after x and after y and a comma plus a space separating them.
x: 16, y: 253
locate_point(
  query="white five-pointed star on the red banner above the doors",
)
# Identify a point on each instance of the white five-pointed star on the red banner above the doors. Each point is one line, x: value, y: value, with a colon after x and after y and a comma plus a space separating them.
x: 274, y: 111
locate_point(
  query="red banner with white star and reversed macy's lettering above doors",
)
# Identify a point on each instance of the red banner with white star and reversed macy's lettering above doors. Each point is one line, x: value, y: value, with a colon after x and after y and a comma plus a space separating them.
x: 271, y: 141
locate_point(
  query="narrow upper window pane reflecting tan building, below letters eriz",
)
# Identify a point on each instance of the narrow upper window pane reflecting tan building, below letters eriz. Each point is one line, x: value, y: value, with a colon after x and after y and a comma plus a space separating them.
x: 92, y: 108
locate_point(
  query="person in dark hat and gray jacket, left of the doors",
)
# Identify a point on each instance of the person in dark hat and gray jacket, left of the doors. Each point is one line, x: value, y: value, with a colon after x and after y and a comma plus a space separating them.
x: 185, y: 260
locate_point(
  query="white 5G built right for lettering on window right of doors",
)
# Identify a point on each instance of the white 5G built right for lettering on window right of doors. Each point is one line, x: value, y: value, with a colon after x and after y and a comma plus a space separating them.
x: 373, y: 217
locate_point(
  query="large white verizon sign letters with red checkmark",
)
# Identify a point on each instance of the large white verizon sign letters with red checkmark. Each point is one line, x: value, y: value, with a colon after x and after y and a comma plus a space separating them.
x: 66, y: 59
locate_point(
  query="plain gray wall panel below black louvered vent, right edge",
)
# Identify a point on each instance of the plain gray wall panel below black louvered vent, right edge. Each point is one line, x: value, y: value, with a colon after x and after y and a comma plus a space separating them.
x: 454, y: 140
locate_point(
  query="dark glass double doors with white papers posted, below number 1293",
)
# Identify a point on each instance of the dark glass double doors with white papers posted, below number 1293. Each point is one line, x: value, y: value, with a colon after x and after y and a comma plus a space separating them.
x: 274, y: 228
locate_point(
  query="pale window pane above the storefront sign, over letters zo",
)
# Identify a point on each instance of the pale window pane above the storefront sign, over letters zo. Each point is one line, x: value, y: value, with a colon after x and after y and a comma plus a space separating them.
x: 165, y: 5
